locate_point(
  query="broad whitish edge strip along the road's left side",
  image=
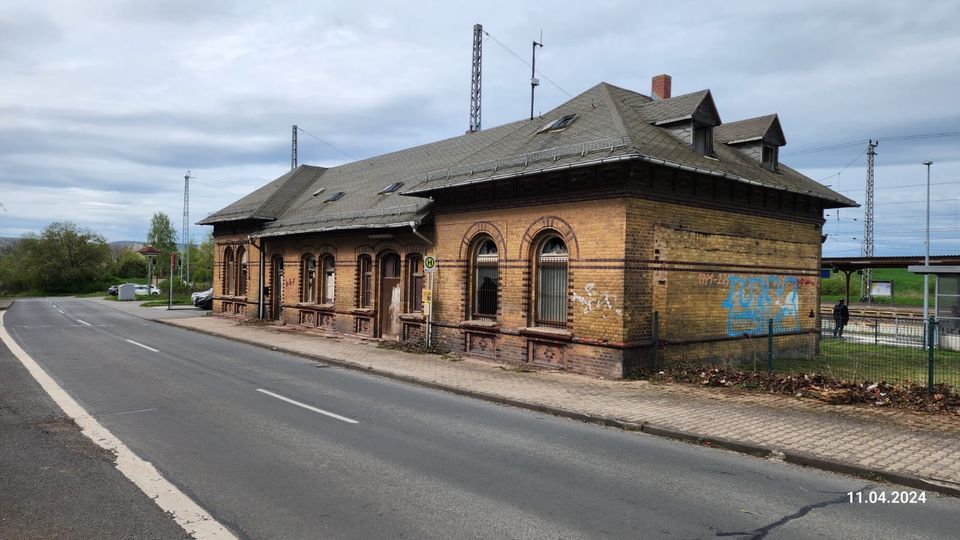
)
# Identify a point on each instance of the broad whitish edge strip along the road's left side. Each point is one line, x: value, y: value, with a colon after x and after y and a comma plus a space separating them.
x: 188, y: 514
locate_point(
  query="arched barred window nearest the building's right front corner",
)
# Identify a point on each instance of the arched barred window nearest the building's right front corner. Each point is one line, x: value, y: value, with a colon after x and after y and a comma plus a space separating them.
x: 551, y: 289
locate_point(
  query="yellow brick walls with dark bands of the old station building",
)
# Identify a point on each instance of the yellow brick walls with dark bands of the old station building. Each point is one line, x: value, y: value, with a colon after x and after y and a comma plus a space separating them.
x: 711, y: 257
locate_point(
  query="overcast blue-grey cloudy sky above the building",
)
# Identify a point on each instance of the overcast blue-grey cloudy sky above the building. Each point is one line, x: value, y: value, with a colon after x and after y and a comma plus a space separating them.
x: 105, y: 104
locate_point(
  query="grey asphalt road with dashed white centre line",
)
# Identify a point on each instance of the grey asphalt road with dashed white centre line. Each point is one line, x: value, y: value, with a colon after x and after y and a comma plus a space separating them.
x: 277, y: 446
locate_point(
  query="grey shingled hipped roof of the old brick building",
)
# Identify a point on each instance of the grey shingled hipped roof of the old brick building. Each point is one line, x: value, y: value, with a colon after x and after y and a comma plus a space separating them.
x: 611, y: 124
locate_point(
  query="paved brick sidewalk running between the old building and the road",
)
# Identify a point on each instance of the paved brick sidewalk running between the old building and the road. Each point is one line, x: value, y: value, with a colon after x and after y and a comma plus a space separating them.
x: 917, y: 450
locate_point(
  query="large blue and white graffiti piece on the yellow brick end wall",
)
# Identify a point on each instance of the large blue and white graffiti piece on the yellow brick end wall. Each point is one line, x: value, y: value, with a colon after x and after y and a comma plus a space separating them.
x: 754, y: 300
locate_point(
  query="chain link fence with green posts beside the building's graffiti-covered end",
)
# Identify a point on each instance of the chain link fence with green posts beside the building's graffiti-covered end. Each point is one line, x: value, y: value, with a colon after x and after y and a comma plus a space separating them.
x: 866, y: 349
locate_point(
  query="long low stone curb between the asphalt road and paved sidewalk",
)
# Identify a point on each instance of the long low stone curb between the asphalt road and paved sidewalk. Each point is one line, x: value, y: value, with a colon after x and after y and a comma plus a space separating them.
x: 795, y: 458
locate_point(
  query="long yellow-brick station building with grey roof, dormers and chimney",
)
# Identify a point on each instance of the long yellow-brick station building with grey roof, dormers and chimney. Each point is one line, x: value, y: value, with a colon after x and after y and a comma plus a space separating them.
x: 557, y: 239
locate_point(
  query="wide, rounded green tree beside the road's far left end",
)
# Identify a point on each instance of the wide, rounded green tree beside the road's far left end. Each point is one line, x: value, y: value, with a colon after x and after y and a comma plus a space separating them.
x: 62, y: 258
